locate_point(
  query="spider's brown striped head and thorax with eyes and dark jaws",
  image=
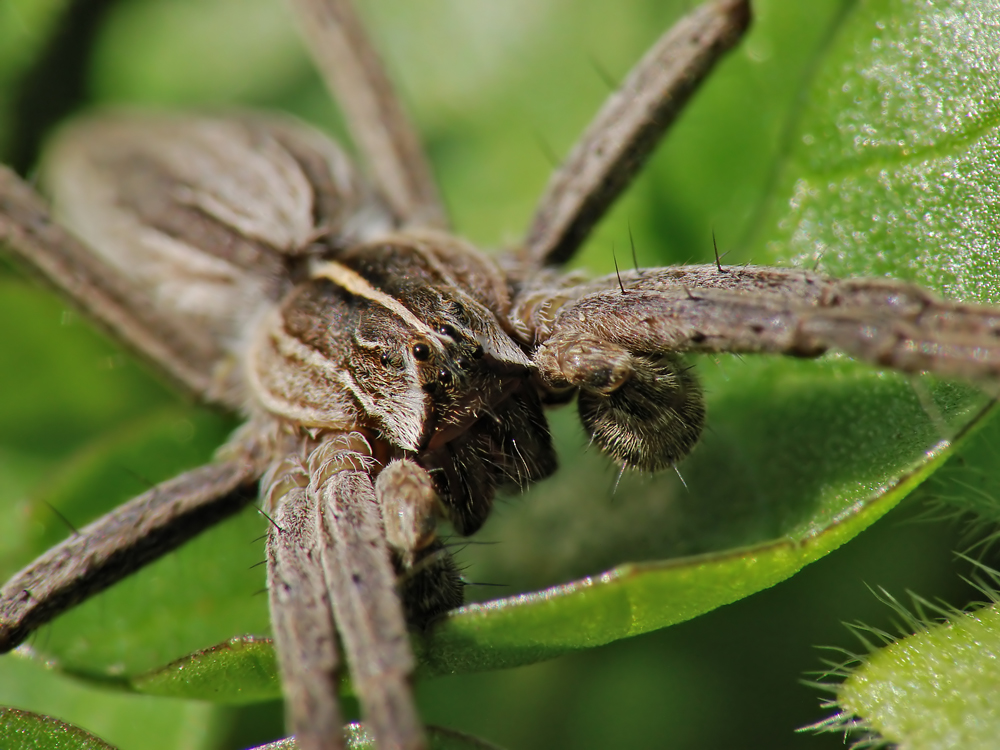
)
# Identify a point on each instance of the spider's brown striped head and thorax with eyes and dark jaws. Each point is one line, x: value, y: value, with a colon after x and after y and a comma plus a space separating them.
x: 403, y: 340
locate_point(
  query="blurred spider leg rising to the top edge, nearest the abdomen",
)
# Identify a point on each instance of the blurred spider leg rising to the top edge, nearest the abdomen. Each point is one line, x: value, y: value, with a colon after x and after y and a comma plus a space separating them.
x: 375, y: 116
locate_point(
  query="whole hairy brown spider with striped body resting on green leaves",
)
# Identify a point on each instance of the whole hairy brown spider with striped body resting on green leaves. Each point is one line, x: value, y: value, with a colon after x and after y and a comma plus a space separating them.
x: 391, y: 375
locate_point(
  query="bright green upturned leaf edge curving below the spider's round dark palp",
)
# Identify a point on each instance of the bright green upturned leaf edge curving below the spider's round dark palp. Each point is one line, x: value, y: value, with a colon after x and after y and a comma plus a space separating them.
x: 637, y: 598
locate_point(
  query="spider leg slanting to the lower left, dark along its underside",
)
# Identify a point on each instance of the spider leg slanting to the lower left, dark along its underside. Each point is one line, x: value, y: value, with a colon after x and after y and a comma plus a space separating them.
x: 121, y: 542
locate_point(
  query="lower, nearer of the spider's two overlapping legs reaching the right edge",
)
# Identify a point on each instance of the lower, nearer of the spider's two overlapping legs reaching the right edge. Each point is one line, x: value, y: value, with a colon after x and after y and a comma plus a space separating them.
x: 887, y: 323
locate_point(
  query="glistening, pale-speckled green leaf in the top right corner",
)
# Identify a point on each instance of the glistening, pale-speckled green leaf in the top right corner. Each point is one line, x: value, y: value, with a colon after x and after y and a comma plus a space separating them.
x: 893, y: 168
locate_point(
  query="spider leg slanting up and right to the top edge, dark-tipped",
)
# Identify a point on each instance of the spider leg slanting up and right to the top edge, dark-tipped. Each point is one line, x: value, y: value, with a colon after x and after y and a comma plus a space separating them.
x: 628, y: 127
